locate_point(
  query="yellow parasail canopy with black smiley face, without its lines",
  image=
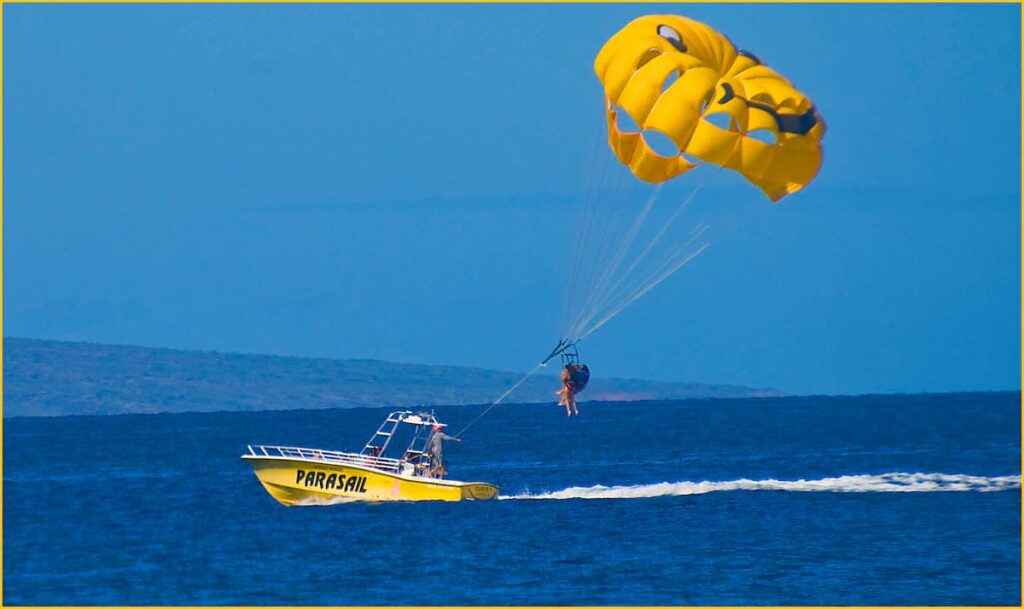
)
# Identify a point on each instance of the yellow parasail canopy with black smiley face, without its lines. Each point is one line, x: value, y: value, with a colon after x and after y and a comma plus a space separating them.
x: 719, y: 105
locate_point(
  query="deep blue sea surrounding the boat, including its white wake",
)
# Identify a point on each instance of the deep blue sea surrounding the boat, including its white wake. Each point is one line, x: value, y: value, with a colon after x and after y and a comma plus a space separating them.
x: 867, y: 501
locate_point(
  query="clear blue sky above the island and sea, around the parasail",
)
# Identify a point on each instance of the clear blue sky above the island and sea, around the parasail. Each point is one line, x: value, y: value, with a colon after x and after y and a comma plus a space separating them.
x: 403, y: 183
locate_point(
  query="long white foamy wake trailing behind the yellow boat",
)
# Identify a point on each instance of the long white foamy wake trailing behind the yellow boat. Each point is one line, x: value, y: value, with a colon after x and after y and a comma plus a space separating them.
x: 893, y: 483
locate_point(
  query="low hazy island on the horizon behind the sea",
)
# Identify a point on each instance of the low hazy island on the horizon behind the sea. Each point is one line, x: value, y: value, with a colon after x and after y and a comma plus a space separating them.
x: 53, y: 379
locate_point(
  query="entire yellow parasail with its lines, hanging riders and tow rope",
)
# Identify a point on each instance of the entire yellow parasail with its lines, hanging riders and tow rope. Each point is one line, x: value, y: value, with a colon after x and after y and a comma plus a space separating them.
x: 696, y: 101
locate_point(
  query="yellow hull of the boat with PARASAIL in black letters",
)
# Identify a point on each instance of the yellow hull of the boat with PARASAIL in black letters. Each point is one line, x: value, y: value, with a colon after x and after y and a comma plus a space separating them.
x: 301, y: 483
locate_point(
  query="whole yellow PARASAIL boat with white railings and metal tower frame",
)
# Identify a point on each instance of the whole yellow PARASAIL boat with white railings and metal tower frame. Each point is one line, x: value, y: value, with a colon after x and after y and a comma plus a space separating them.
x: 312, y: 476
